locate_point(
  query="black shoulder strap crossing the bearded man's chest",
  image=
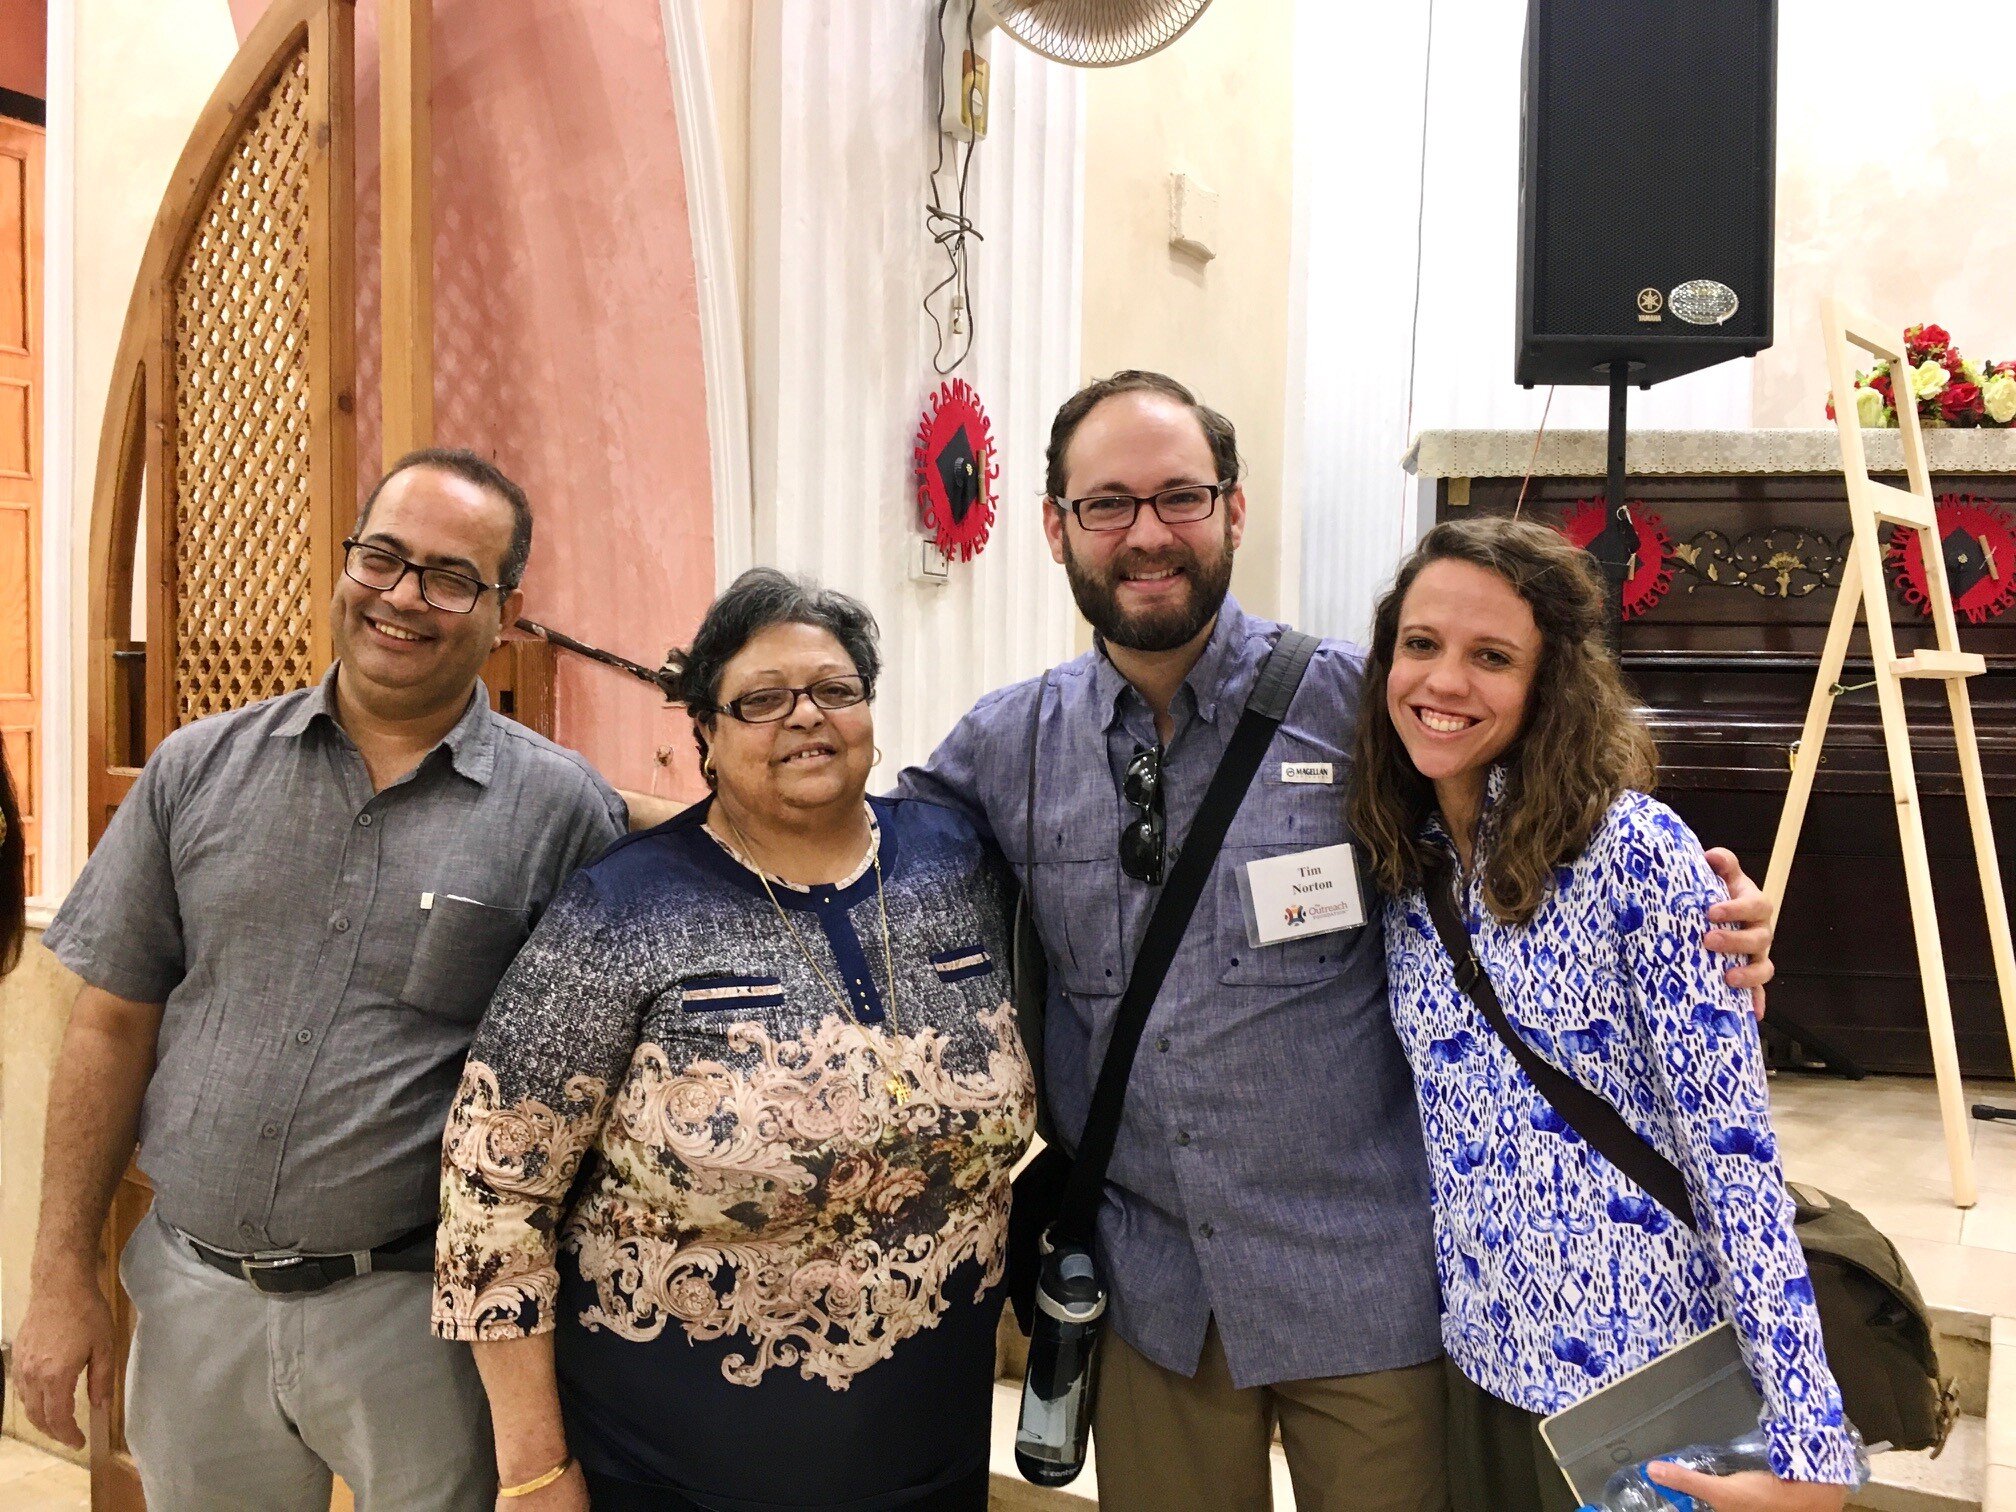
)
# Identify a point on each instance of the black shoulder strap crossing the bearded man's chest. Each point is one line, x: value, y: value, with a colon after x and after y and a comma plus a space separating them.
x: 1267, y: 707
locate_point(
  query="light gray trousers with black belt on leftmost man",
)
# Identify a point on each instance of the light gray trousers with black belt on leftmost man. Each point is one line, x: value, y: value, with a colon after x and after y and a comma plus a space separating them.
x: 241, y: 1402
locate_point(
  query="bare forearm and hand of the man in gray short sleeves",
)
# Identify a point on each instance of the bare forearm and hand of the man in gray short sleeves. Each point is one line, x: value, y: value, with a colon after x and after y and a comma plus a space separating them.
x: 94, y: 1120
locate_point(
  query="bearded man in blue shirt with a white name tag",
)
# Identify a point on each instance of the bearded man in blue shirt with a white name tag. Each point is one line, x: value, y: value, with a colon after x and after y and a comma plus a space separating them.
x: 1267, y: 1219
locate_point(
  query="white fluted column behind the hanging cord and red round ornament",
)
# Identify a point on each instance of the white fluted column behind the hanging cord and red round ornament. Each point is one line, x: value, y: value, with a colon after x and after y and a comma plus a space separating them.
x: 842, y: 142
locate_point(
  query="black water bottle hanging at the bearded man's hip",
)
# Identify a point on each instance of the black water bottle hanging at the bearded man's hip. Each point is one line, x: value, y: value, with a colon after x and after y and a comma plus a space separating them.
x: 1057, y: 1394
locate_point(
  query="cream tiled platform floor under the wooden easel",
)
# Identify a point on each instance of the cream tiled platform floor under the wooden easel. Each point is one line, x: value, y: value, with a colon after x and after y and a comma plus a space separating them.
x: 1878, y: 1146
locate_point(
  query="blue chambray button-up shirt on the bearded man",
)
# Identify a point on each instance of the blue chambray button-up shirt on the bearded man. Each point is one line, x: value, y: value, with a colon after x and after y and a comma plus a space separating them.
x: 1269, y: 1168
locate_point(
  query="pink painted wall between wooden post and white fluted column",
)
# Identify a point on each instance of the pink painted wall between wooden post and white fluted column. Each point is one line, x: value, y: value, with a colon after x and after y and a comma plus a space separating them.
x: 568, y: 332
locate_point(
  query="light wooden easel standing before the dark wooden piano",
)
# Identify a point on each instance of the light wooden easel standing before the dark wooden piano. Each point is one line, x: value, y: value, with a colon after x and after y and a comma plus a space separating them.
x: 1874, y: 505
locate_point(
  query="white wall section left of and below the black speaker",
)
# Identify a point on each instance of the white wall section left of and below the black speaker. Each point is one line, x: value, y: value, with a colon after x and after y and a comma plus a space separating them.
x: 1368, y: 86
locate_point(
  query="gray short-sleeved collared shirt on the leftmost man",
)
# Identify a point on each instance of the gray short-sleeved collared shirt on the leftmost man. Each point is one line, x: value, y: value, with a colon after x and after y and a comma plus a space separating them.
x: 324, y: 955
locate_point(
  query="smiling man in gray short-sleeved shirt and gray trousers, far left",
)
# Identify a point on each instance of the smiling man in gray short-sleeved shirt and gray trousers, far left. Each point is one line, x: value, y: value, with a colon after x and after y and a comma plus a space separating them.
x: 287, y: 936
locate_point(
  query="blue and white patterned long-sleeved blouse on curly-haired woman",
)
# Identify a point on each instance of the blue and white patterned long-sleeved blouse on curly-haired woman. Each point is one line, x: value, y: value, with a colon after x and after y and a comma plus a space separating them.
x: 1559, y: 1275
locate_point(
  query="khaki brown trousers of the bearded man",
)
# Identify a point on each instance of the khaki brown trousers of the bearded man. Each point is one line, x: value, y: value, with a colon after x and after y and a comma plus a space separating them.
x: 1166, y: 1442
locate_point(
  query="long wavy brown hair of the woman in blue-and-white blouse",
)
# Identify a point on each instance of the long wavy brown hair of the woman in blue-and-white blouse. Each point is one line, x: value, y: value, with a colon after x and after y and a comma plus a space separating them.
x: 1580, y: 747
